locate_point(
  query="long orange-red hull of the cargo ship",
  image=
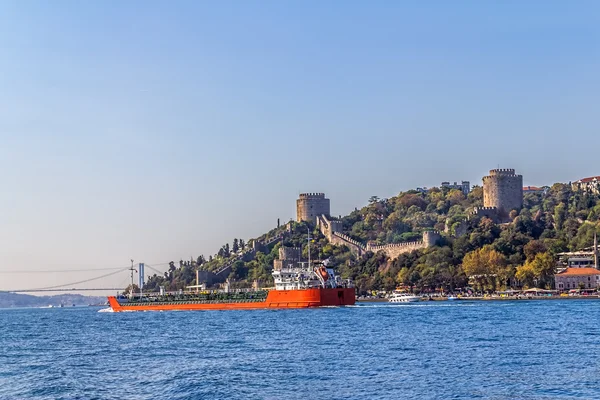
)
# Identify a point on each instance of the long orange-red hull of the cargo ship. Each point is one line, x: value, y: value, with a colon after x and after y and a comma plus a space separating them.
x: 276, y: 299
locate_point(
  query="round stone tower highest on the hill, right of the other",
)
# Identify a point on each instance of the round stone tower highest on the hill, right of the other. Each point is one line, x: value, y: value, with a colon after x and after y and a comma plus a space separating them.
x: 503, y: 189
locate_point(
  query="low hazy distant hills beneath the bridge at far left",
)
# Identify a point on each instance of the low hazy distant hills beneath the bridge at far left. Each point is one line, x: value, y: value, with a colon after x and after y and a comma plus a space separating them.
x: 11, y: 300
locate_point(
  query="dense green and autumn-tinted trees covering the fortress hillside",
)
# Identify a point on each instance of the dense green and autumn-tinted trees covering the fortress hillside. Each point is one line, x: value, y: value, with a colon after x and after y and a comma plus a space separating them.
x: 474, y: 251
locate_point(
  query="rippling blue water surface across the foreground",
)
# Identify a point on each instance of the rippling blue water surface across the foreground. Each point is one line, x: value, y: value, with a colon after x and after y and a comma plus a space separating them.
x: 450, y: 350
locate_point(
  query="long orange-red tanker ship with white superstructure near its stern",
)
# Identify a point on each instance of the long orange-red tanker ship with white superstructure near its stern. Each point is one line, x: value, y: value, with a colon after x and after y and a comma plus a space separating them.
x: 295, y: 287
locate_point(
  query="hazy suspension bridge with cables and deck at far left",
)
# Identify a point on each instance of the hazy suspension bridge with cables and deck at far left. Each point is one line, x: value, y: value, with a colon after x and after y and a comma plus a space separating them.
x: 75, y: 286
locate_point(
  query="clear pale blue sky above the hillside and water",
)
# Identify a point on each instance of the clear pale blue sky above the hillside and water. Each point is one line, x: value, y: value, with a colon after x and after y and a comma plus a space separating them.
x: 160, y: 130
